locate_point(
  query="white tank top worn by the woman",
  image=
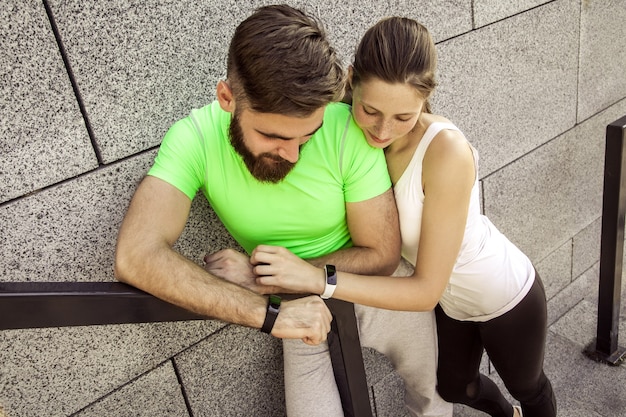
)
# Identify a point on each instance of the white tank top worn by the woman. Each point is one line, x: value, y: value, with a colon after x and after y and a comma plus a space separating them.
x: 491, y: 275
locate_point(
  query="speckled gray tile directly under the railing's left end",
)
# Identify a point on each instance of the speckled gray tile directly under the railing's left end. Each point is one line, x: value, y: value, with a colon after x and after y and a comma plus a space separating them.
x: 59, y: 371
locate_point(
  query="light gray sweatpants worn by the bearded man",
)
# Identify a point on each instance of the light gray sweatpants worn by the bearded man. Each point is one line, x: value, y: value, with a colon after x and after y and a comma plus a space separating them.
x: 408, y: 339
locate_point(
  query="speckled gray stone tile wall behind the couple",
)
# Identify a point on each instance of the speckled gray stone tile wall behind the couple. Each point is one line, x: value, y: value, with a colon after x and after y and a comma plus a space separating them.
x: 88, y: 88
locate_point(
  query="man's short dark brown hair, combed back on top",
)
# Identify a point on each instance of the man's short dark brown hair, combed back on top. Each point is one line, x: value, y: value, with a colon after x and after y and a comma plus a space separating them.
x: 280, y: 61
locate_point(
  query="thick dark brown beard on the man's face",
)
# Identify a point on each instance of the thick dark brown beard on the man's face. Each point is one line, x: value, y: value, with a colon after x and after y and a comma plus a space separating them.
x: 266, y: 167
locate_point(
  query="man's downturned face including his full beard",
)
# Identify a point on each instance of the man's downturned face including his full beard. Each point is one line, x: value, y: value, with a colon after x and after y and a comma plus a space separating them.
x: 270, y: 143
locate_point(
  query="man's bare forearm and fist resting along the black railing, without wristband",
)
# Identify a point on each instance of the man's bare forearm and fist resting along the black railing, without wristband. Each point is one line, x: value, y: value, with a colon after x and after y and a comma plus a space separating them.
x: 180, y: 281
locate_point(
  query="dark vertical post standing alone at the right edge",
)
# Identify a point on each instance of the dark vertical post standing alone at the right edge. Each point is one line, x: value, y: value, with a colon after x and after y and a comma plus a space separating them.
x: 605, y: 348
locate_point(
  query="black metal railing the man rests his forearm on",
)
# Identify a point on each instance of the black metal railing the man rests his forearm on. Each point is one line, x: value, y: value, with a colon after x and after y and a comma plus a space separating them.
x: 26, y: 305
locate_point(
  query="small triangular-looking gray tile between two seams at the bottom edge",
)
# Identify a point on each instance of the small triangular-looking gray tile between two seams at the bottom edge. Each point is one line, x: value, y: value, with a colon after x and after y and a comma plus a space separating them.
x: 156, y: 393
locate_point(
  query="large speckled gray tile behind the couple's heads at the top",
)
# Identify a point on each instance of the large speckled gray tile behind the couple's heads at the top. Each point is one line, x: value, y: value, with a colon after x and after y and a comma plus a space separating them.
x: 133, y: 94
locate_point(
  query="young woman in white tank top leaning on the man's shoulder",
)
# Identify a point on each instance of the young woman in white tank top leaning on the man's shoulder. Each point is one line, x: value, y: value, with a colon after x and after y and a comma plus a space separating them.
x: 485, y: 291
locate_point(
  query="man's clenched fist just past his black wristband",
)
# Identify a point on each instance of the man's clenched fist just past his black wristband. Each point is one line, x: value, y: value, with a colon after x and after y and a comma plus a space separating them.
x: 306, y: 318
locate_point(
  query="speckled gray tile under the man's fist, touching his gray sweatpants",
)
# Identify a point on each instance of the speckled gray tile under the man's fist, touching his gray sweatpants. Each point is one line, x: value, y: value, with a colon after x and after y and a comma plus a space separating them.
x: 237, y: 372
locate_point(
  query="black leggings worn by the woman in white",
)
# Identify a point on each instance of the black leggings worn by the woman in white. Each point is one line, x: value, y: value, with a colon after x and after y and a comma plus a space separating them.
x: 515, y: 343
